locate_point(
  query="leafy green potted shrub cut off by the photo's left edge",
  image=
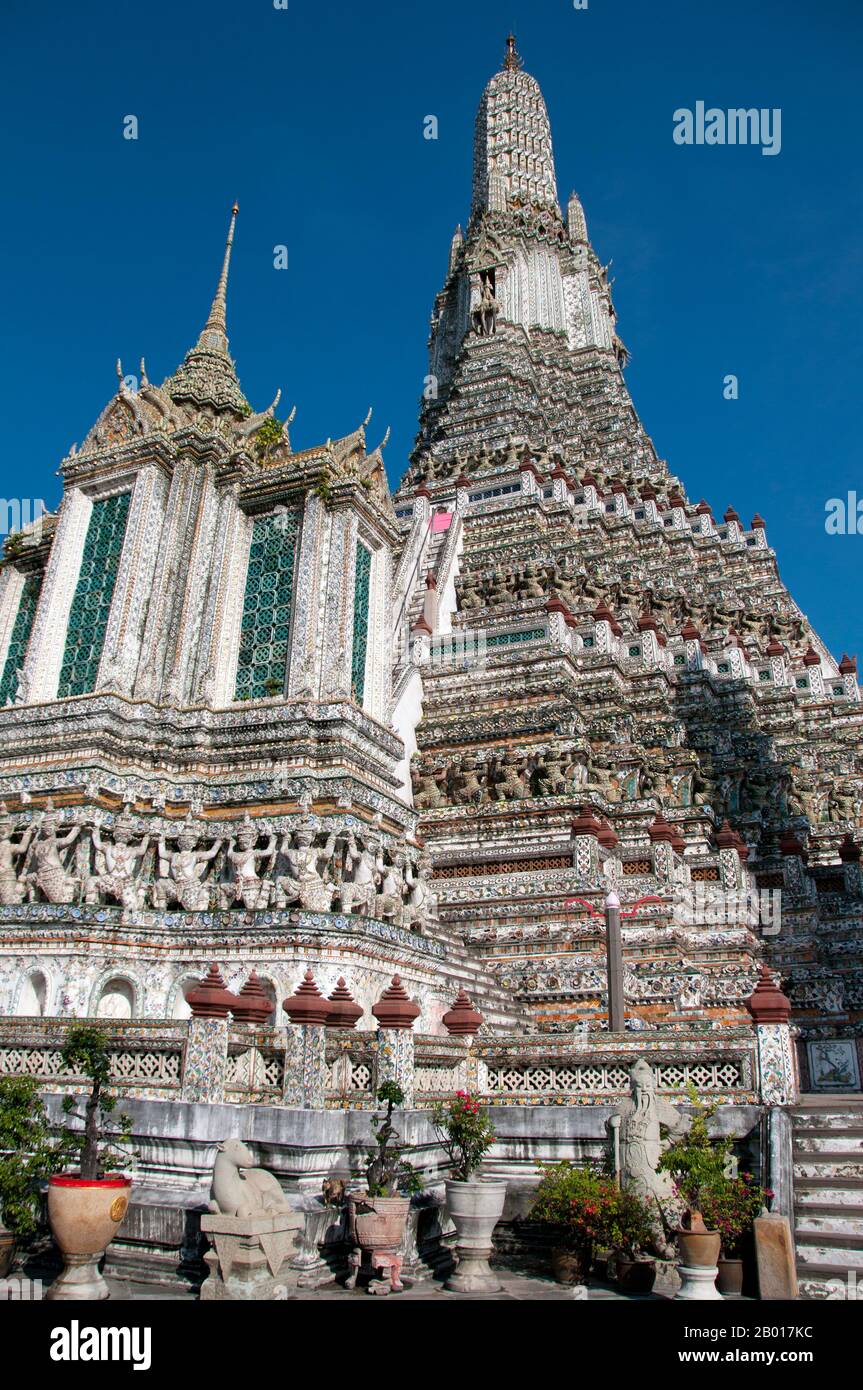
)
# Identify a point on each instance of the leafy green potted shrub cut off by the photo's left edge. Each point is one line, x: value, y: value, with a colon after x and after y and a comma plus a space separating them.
x: 30, y: 1153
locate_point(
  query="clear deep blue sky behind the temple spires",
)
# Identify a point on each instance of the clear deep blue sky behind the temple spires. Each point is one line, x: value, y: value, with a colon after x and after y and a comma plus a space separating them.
x: 312, y: 117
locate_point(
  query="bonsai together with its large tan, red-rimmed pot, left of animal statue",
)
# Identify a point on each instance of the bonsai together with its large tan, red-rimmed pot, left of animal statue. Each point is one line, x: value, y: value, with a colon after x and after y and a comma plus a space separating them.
x: 88, y: 1206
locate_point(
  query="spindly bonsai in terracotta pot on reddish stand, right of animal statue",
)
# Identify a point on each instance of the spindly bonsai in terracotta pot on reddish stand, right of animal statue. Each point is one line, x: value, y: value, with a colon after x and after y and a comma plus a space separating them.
x: 377, y: 1217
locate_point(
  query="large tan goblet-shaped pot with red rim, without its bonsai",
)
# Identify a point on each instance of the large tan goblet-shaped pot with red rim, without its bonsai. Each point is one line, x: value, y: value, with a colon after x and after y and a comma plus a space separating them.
x: 85, y: 1216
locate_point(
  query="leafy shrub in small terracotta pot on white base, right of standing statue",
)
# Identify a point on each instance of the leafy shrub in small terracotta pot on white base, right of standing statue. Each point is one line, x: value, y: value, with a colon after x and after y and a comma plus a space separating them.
x: 697, y: 1166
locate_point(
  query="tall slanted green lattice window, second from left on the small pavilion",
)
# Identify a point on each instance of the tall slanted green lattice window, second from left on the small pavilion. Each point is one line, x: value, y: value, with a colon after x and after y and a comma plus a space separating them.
x: 94, y: 594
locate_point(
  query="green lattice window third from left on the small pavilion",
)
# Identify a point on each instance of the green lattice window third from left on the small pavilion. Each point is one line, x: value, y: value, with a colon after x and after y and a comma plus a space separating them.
x: 268, y: 608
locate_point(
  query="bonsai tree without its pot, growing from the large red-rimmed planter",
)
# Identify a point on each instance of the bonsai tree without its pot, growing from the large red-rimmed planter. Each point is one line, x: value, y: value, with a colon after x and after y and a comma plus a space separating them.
x: 87, y: 1052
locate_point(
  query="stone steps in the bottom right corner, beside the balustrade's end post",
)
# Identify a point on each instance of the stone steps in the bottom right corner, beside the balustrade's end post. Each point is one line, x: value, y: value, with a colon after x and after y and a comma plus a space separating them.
x: 829, y: 1196
